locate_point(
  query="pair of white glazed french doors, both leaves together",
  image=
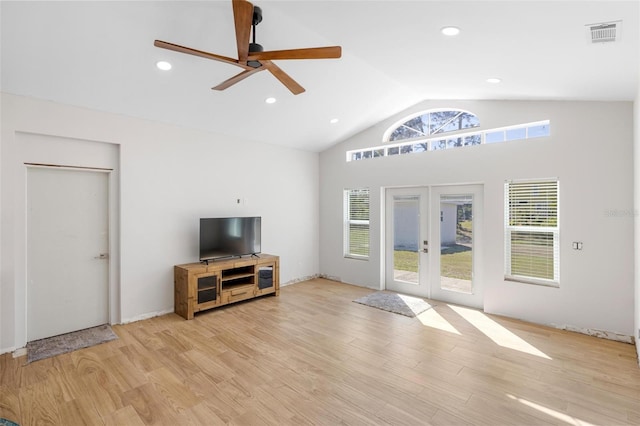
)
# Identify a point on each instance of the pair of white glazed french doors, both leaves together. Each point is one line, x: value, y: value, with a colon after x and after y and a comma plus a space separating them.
x: 433, y: 236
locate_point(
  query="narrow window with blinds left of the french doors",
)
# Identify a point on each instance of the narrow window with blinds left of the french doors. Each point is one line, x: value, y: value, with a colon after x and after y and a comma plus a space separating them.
x: 356, y: 223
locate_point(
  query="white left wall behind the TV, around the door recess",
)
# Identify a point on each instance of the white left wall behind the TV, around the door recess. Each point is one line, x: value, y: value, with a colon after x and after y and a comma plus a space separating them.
x: 169, y: 178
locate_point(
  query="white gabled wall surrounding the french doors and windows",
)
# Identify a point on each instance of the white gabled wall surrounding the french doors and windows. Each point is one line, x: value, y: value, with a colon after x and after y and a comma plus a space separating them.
x: 590, y: 152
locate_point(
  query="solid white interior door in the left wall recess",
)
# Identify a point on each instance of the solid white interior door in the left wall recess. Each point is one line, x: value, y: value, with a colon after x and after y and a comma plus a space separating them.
x: 67, y: 250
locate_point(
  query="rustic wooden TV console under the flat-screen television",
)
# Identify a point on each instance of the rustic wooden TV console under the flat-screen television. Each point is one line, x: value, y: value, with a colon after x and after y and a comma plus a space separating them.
x: 200, y: 286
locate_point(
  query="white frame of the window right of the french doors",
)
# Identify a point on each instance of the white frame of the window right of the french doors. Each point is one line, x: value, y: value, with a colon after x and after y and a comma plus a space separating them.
x: 510, y: 229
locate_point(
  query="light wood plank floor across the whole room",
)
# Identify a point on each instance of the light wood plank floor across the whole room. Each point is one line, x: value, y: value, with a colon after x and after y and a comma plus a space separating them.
x: 312, y: 356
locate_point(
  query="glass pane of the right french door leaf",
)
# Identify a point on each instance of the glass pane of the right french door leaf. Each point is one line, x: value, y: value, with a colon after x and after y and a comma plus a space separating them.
x: 456, y: 243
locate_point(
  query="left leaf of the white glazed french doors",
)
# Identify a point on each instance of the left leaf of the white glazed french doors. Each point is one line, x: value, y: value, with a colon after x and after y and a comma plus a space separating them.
x: 407, y: 241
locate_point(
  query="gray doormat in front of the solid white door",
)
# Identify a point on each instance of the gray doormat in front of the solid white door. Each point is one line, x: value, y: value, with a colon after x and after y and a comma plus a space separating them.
x: 57, y: 345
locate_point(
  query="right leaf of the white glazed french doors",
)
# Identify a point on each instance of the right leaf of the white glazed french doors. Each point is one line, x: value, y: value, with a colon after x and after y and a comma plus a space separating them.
x: 456, y: 227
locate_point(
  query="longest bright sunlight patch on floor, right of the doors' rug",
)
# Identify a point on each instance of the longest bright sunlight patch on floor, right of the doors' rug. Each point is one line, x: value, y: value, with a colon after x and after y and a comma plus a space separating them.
x: 494, y: 331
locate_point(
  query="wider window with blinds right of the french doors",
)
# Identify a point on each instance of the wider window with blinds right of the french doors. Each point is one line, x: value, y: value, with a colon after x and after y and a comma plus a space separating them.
x: 532, y: 247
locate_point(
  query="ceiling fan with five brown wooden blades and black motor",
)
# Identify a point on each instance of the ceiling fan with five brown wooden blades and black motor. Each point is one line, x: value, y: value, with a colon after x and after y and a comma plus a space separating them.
x: 251, y: 56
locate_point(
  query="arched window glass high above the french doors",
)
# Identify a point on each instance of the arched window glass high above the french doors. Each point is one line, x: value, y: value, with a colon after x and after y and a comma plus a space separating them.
x: 428, y: 123
